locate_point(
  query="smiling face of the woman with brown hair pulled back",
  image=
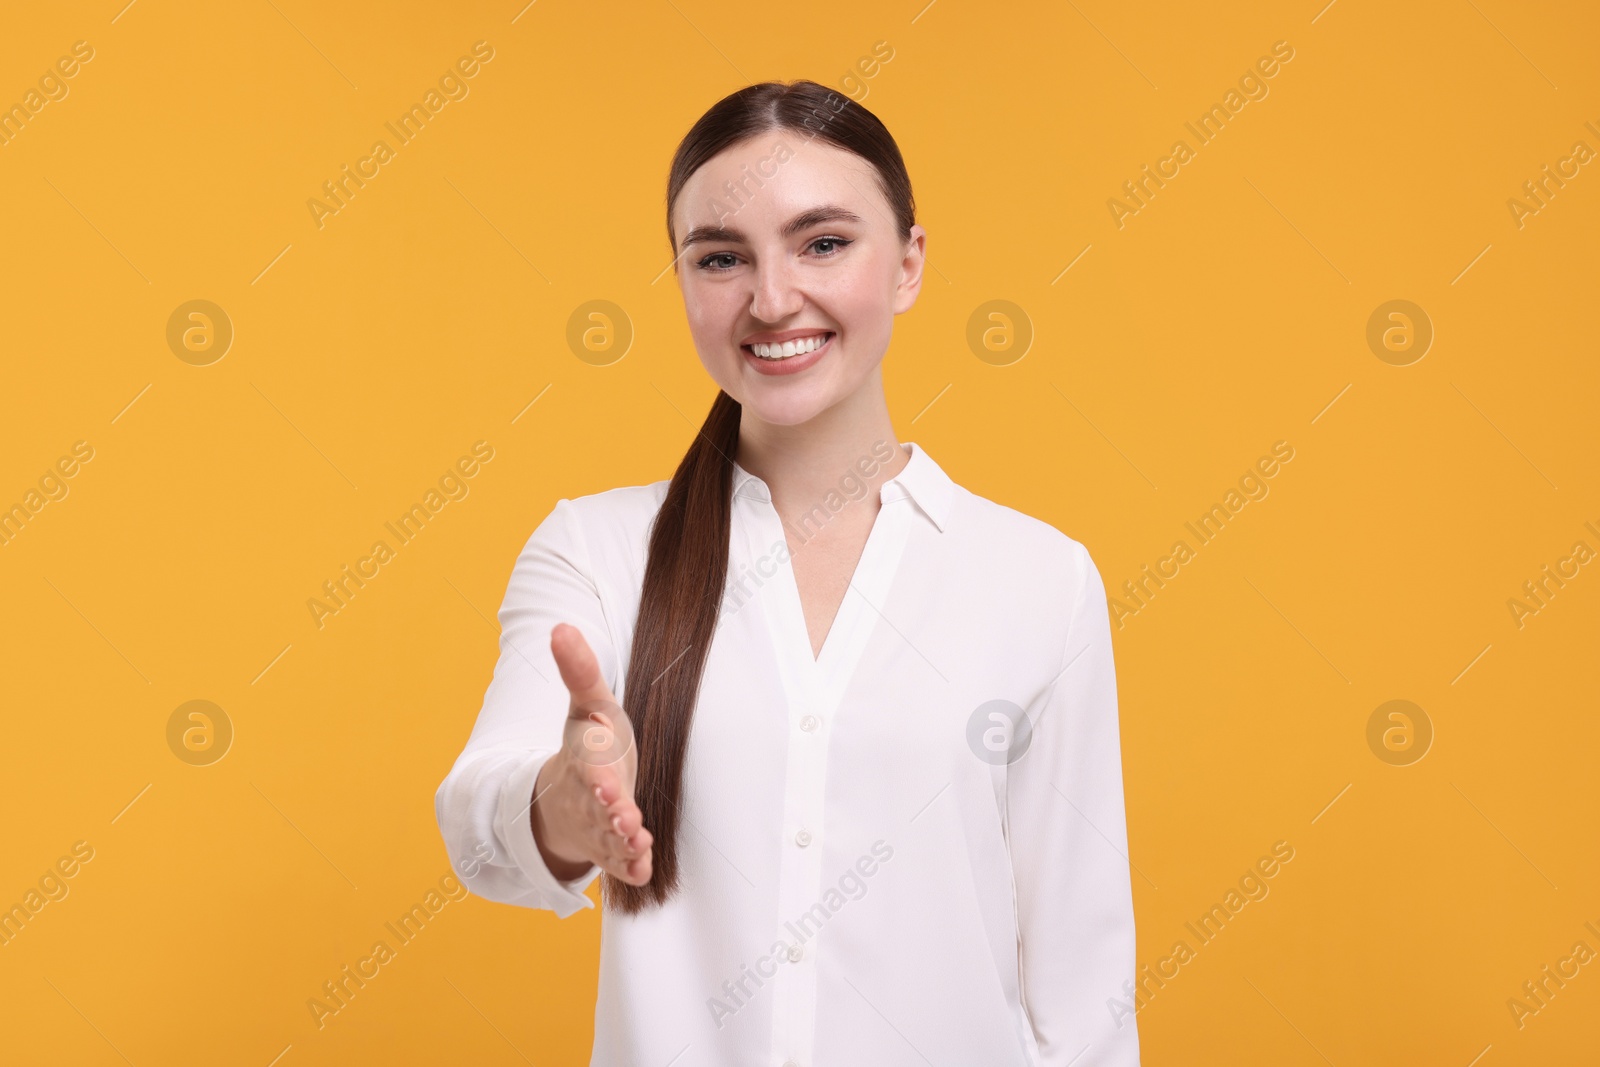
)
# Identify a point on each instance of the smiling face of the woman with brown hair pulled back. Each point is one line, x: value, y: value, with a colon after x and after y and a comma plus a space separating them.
x: 791, y: 241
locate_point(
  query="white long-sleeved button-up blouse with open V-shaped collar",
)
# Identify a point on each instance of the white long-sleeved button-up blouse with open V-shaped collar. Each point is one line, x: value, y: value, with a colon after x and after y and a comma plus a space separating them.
x: 910, y: 850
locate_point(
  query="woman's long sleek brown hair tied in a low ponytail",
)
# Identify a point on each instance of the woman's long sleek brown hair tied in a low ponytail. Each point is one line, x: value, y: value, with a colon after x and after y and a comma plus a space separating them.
x: 689, y: 543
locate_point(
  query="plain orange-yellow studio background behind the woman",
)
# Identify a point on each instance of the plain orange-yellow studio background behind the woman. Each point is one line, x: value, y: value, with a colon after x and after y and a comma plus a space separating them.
x: 372, y: 353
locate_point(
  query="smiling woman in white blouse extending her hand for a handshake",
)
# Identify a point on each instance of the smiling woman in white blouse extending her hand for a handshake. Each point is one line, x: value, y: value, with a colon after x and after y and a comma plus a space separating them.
x: 874, y: 812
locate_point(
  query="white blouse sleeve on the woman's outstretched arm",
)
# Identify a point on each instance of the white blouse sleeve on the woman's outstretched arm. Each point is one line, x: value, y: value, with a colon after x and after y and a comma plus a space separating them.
x: 484, y: 804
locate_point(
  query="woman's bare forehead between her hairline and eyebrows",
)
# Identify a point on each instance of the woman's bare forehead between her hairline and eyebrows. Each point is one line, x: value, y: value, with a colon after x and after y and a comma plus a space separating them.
x: 775, y: 177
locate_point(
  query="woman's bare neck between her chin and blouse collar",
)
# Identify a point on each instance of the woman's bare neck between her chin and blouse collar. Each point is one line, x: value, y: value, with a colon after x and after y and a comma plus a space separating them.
x: 804, y: 465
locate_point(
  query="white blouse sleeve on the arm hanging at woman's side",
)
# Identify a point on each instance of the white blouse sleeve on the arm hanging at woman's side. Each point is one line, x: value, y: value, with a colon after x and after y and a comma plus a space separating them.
x: 1070, y: 852
